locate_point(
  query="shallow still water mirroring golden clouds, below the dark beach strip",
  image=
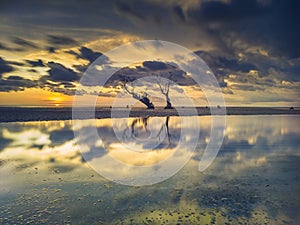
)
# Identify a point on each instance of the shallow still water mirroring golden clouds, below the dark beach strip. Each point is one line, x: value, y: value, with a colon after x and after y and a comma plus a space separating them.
x: 255, y: 178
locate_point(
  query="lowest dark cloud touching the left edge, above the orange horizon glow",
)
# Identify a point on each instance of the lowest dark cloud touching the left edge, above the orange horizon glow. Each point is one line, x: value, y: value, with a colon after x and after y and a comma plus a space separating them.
x: 15, y: 83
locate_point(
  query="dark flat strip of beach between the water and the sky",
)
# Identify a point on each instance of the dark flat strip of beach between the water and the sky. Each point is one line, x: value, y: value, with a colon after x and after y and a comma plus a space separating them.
x: 19, y: 114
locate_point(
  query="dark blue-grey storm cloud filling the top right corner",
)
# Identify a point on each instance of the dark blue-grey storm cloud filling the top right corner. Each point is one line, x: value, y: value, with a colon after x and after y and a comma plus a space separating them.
x: 272, y: 26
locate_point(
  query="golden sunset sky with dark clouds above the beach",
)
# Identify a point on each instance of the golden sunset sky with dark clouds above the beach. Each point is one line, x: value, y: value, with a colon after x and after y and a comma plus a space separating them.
x: 252, y: 46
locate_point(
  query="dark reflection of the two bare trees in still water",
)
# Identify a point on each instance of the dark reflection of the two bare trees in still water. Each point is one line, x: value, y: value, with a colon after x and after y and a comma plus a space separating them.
x: 138, y: 129
